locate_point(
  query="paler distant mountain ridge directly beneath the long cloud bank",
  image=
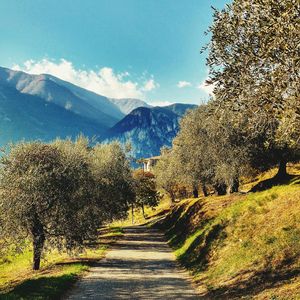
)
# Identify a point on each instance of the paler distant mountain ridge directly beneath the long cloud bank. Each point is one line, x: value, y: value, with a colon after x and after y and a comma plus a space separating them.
x: 64, y: 94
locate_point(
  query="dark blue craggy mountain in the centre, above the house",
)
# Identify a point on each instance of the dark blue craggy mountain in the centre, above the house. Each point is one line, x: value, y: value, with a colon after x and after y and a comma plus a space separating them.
x: 148, y: 129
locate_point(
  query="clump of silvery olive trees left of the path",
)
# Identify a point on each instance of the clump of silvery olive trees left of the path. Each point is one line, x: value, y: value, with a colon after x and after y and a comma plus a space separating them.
x: 57, y: 195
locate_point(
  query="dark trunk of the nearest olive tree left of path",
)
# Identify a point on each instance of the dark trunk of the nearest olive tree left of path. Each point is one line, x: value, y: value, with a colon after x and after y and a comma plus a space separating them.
x: 38, y: 243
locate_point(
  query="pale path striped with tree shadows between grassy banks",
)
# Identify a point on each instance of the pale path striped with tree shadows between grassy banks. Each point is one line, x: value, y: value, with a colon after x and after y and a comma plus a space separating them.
x: 140, y: 266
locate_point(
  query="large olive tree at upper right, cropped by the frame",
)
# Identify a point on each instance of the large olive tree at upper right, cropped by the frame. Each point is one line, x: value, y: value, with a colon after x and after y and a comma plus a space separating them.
x: 254, y: 66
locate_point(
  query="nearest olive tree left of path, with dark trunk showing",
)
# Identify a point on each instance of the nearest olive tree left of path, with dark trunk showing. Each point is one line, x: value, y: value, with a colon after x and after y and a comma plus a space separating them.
x: 44, y: 197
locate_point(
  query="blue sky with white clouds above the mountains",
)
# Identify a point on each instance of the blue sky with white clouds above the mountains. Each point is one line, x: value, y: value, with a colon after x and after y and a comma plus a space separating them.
x: 146, y: 49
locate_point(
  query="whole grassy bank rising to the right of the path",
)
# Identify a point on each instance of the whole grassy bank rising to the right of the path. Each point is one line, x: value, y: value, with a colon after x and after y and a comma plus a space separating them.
x: 240, y: 245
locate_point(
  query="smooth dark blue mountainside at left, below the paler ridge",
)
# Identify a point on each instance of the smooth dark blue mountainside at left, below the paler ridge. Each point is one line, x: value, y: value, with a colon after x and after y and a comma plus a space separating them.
x: 24, y: 116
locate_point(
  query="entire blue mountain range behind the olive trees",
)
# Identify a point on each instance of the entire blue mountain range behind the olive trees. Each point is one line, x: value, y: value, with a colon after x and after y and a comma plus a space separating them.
x: 45, y: 107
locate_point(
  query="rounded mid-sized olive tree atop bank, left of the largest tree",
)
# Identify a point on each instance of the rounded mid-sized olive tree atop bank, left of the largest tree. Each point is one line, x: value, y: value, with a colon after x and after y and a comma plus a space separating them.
x: 210, y: 149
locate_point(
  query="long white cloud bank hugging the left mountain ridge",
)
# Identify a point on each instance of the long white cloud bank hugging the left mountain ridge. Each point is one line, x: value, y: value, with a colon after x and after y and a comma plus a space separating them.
x: 105, y: 81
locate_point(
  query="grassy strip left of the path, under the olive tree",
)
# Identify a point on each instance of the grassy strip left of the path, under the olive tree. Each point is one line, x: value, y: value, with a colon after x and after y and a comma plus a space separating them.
x: 58, y: 271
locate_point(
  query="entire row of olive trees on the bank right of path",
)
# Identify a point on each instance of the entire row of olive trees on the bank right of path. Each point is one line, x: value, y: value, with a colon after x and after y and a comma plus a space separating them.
x: 253, y: 118
